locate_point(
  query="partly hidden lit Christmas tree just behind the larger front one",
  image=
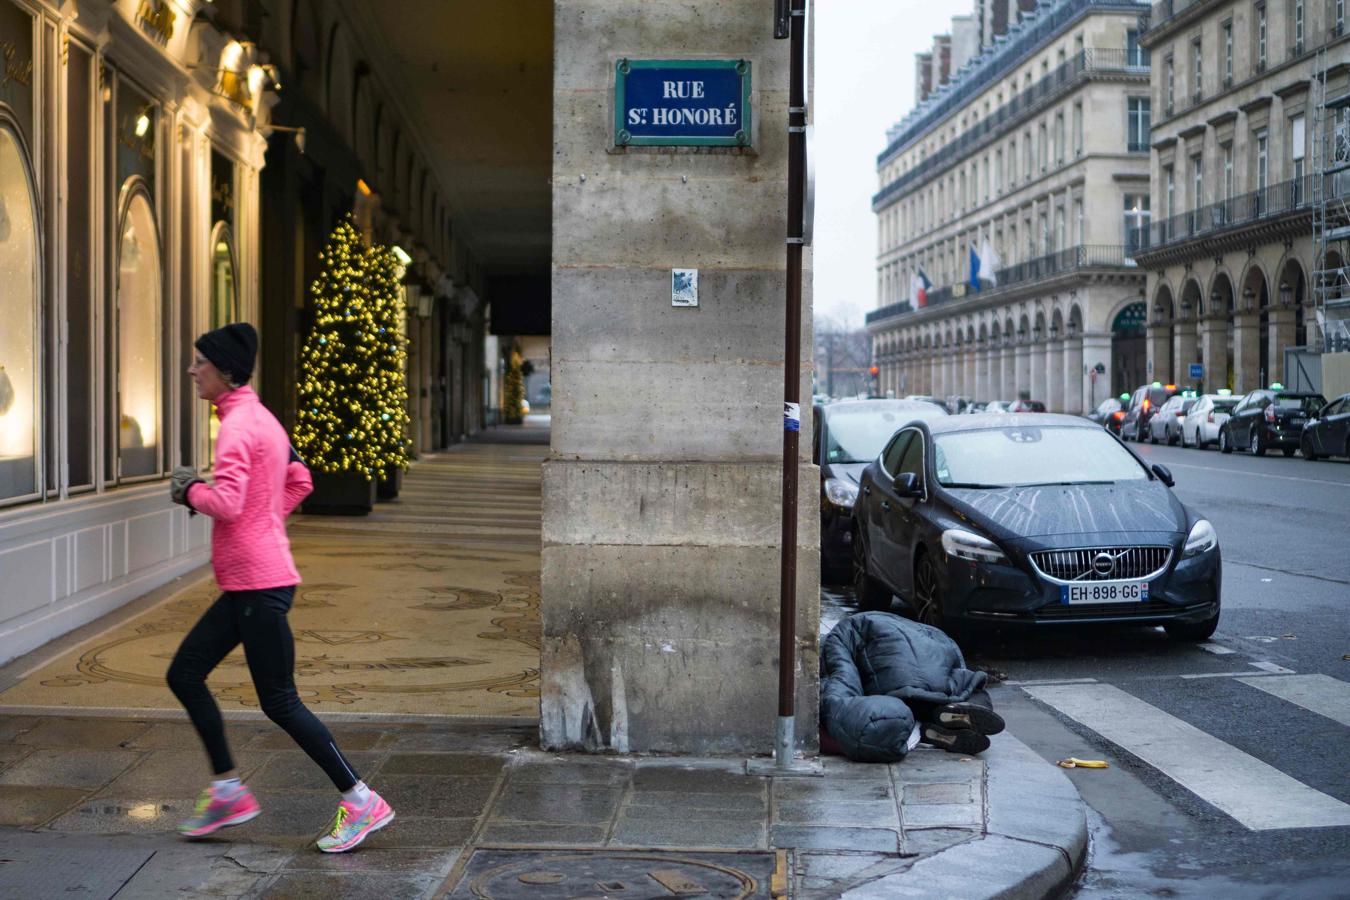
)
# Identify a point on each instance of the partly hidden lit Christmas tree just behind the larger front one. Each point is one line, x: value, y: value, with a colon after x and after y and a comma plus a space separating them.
x: 389, y: 380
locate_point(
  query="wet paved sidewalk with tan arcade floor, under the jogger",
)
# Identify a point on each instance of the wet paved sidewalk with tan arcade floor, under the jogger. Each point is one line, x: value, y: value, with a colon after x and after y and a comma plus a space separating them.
x: 98, y: 764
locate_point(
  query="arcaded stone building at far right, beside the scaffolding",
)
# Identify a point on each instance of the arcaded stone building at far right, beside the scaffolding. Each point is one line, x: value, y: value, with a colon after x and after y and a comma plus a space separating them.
x: 1235, y: 160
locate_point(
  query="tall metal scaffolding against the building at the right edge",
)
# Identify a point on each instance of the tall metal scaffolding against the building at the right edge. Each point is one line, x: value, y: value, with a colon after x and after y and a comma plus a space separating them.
x: 1330, y: 213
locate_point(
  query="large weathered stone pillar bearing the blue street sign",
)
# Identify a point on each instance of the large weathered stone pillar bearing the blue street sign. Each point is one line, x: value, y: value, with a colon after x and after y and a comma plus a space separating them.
x: 661, y: 542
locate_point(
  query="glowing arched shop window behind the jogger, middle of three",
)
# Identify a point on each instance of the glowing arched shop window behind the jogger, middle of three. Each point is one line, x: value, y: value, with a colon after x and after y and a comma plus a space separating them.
x: 138, y: 338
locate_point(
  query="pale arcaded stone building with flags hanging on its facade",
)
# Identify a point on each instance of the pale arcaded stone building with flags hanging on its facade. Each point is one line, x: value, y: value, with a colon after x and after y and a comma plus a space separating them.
x: 1032, y: 164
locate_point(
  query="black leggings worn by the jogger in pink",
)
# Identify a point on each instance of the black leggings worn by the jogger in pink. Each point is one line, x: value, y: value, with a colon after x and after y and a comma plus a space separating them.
x: 259, y: 621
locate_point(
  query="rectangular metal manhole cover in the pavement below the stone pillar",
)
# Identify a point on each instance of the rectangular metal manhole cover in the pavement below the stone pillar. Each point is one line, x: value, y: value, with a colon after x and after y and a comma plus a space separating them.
x: 578, y: 875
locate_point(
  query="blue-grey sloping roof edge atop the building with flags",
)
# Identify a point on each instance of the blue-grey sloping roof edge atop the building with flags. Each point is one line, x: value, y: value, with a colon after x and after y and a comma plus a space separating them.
x: 996, y: 64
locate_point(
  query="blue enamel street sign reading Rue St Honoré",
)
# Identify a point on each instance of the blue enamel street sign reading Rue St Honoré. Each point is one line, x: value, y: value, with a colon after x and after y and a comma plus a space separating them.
x: 682, y: 103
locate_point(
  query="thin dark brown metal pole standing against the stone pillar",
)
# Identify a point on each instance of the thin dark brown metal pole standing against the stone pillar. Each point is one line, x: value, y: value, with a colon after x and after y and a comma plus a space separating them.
x: 786, y: 740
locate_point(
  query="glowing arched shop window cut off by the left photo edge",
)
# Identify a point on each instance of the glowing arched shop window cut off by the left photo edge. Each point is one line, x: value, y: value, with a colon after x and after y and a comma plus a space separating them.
x: 20, y: 273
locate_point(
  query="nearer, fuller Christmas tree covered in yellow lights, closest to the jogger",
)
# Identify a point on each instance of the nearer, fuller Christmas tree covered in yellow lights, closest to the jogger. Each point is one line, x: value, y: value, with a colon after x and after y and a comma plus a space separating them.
x: 338, y: 424
